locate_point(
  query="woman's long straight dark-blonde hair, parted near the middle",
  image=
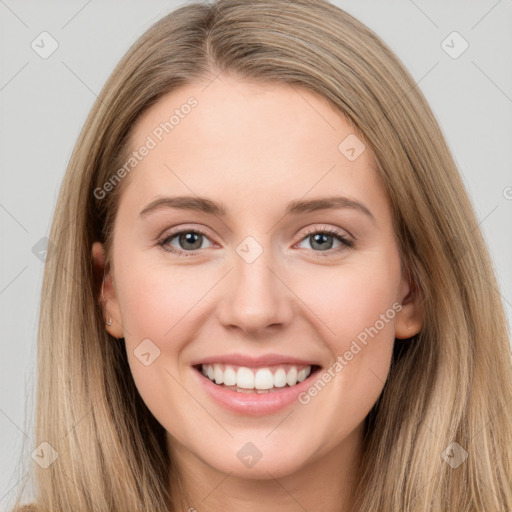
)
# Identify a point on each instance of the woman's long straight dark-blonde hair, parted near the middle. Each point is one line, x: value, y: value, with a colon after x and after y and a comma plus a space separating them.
x: 452, y: 383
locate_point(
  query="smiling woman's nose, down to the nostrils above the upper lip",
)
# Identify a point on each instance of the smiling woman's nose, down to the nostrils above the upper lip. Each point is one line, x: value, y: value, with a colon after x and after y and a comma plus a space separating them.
x: 256, y: 297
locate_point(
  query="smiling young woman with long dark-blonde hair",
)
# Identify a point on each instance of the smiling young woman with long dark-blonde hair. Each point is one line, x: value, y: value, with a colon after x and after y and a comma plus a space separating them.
x: 254, y: 372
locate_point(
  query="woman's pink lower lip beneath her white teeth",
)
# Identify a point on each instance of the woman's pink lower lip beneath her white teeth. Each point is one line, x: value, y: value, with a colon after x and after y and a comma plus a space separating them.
x: 253, y: 404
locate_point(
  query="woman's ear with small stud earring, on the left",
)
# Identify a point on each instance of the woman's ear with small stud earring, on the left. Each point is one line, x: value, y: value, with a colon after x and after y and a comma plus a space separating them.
x: 107, y: 295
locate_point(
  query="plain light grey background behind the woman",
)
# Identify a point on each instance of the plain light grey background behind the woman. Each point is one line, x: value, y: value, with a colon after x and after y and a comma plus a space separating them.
x: 44, y: 103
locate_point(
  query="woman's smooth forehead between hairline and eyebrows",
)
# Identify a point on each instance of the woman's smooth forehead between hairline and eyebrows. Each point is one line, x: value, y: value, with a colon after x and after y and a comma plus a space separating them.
x: 240, y: 140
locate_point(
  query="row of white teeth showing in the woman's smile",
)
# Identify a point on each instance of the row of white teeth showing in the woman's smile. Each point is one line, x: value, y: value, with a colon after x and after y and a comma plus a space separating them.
x: 261, y: 380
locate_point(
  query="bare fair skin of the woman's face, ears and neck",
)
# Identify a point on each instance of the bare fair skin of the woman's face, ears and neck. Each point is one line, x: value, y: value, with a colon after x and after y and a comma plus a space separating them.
x: 254, y: 148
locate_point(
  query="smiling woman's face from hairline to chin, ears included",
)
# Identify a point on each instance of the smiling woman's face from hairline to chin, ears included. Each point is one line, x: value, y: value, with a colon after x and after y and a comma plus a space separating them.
x: 264, y: 292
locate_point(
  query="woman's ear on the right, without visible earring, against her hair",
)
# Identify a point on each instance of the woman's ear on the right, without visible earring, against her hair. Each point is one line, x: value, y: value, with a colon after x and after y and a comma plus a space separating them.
x: 409, y: 319
